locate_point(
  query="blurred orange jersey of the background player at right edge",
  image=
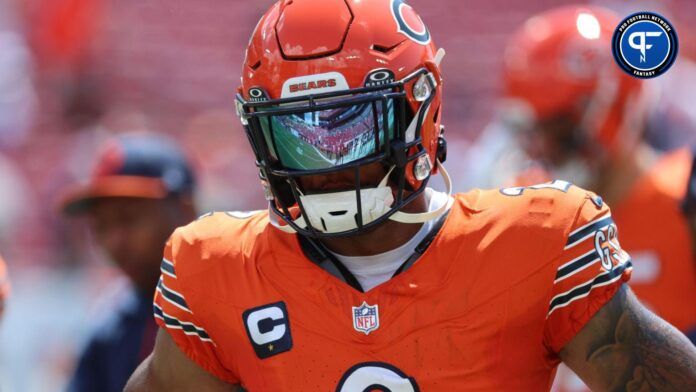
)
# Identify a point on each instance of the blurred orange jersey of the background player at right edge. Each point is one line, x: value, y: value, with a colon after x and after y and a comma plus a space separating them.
x: 655, y: 231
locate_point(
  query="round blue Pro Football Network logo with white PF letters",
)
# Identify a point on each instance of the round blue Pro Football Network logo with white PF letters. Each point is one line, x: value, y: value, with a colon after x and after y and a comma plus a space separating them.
x: 645, y: 45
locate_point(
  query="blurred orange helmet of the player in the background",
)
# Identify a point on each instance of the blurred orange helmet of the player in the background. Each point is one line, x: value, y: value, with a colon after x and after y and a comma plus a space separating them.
x: 559, y: 64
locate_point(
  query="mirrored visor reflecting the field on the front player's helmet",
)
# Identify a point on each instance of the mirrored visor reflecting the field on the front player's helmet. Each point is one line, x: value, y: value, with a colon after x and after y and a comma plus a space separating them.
x: 327, y: 138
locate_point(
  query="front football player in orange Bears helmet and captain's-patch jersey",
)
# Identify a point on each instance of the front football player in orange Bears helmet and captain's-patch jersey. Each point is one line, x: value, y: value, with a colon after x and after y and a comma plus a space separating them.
x: 360, y: 277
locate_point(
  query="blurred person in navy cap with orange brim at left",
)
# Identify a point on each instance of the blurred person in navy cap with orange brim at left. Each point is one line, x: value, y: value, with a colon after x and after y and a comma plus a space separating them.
x: 140, y: 191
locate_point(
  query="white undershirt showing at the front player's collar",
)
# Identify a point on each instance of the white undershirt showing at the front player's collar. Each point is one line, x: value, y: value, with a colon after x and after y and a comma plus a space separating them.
x: 374, y: 270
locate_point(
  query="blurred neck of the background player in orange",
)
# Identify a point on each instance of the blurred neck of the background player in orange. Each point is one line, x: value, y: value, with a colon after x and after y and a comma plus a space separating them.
x: 617, y: 180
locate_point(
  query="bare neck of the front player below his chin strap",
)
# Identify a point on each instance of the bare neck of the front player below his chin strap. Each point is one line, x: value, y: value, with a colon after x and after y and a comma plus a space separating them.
x: 385, y: 237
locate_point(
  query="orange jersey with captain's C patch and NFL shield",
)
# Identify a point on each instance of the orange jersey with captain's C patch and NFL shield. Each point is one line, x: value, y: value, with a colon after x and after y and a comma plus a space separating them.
x: 509, y: 279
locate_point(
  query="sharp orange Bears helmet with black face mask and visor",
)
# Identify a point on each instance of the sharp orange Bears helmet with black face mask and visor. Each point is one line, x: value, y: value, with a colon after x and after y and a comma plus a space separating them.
x: 333, y: 85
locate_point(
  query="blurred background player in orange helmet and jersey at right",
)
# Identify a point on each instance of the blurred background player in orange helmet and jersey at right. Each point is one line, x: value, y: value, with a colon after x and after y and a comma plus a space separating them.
x: 580, y: 118
